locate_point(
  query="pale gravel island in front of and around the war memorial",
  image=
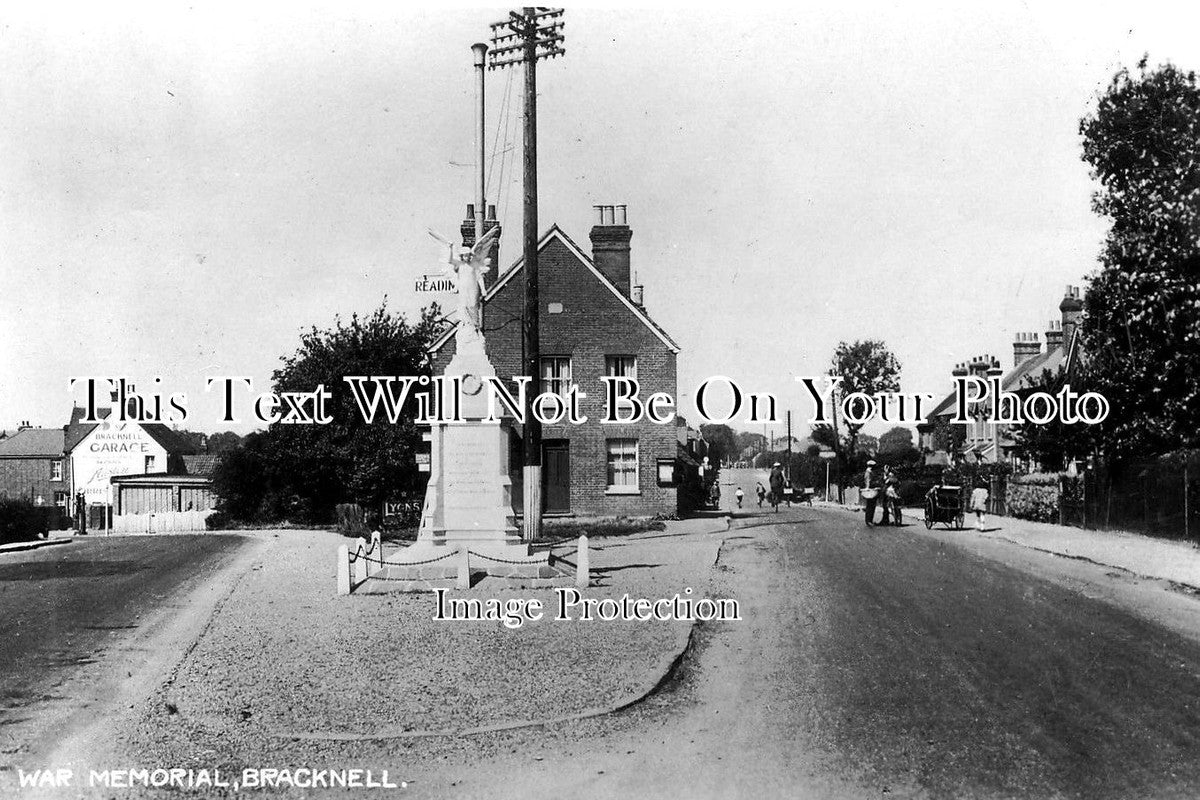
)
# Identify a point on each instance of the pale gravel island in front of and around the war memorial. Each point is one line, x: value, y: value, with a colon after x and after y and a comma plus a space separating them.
x: 290, y: 673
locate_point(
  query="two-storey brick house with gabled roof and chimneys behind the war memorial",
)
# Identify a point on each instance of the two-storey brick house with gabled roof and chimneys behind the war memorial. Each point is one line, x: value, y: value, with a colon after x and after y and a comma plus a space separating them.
x: 592, y: 324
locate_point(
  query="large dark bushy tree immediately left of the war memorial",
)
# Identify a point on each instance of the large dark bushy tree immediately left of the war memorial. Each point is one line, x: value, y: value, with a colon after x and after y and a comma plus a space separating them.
x: 303, y: 472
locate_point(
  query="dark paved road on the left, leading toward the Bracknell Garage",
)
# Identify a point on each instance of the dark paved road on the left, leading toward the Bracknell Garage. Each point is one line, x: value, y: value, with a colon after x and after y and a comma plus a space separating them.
x: 64, y: 607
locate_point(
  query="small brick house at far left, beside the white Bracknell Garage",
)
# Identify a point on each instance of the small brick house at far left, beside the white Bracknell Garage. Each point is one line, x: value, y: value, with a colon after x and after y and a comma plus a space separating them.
x: 33, y: 466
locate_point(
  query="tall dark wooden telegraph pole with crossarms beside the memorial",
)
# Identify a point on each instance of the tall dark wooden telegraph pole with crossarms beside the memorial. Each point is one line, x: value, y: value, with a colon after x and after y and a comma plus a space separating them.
x: 532, y: 34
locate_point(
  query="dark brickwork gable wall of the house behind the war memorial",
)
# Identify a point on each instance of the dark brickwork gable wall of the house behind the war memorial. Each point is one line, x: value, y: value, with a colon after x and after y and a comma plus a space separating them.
x: 593, y: 324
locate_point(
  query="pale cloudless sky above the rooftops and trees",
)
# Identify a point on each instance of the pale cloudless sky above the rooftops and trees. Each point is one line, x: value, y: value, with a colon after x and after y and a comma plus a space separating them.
x: 187, y: 189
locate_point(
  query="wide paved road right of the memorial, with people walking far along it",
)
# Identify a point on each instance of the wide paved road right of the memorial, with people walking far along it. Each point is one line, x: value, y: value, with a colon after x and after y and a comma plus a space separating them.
x: 889, y: 663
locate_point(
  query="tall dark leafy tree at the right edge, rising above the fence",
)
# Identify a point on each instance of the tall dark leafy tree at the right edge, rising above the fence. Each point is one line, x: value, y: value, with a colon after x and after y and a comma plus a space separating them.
x: 1142, y: 323
